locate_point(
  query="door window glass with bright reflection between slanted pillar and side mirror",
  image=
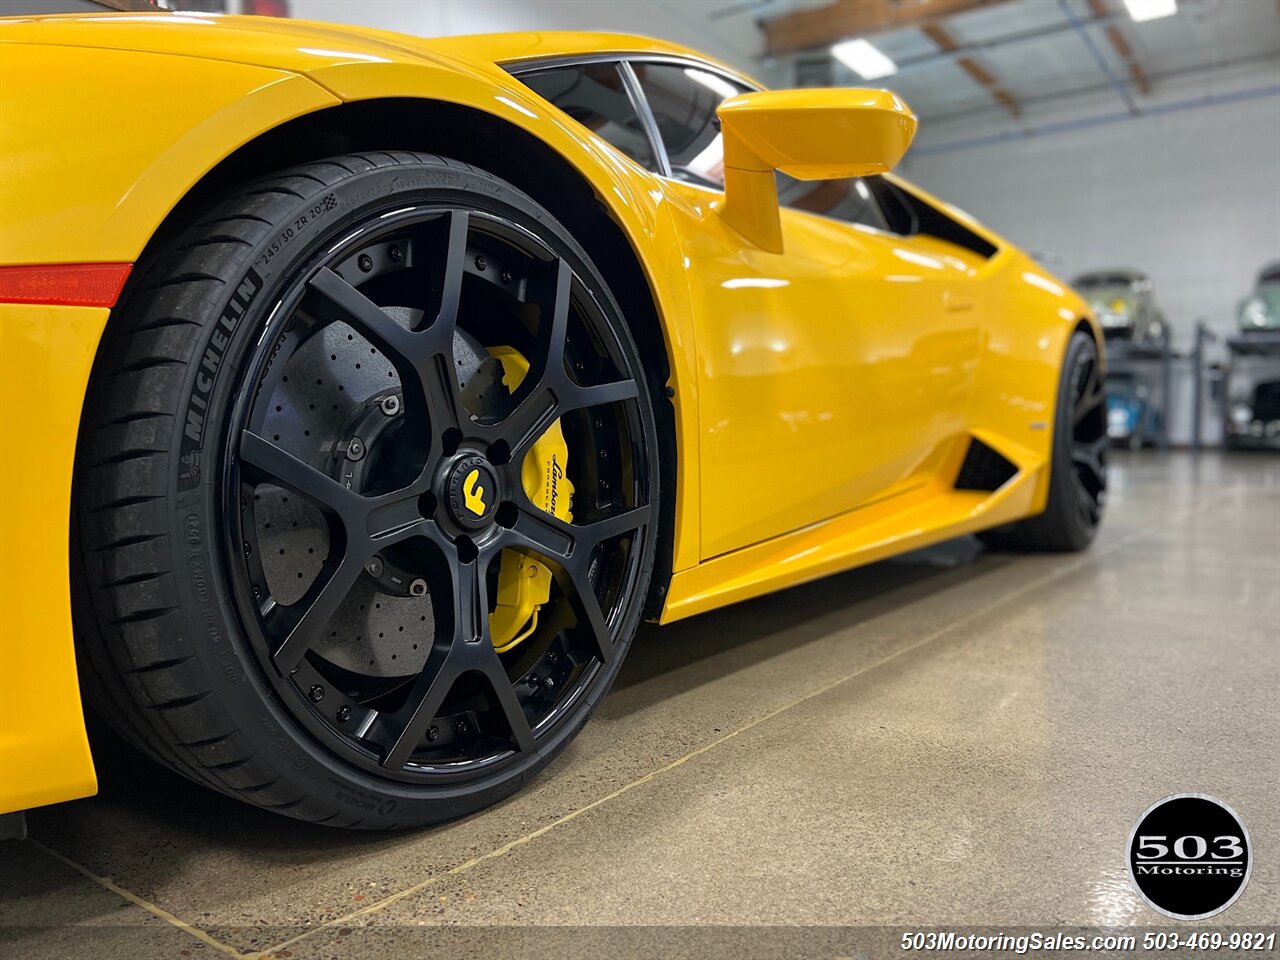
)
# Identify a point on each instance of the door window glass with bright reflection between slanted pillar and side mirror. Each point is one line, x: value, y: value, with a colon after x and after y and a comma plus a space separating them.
x: 684, y: 102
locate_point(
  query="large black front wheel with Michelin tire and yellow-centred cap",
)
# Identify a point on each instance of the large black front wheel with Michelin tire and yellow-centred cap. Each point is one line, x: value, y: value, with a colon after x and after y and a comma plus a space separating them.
x: 367, y: 496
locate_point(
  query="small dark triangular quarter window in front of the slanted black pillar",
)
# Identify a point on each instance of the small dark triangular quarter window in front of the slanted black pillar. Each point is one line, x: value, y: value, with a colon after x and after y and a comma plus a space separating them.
x: 596, y: 97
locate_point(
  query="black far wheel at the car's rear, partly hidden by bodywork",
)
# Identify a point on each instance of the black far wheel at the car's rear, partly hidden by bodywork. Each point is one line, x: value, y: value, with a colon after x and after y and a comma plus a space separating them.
x: 1078, y: 472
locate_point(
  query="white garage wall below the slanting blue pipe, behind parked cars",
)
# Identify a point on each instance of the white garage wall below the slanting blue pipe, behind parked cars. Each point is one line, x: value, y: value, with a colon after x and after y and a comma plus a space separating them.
x: 1192, y: 199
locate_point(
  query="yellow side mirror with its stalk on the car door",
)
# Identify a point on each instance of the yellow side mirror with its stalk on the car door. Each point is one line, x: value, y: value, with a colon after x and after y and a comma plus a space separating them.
x: 812, y: 135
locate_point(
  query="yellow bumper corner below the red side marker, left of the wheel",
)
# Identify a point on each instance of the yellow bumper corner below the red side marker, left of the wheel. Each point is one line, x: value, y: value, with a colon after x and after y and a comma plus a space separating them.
x: 45, y: 358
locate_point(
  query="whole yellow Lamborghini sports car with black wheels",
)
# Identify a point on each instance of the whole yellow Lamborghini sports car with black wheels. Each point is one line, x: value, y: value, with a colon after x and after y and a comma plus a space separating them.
x: 371, y: 390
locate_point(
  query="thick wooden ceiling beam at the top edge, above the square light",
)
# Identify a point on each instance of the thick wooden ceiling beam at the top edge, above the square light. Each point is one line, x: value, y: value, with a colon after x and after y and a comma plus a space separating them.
x: 842, y: 20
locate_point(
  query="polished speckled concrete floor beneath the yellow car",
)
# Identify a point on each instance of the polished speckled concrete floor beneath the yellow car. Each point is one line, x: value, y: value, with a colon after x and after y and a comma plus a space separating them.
x: 954, y: 738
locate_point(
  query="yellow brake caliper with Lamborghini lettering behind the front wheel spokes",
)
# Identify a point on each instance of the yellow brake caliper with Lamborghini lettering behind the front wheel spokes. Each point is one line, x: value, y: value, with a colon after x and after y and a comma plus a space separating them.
x: 524, y: 583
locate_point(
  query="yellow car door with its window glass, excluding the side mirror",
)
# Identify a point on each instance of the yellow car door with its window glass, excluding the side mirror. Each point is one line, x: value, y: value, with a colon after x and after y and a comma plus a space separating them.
x: 830, y: 376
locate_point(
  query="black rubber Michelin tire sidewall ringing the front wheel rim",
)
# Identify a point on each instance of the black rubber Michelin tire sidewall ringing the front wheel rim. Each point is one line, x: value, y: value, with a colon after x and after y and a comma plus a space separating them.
x: 200, y: 468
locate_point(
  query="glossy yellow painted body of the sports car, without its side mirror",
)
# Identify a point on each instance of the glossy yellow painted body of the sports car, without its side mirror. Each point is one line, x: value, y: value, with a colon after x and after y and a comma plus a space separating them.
x: 824, y: 397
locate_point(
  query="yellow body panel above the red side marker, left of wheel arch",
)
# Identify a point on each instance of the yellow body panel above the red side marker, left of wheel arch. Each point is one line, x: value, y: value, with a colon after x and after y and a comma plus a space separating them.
x: 98, y: 147
